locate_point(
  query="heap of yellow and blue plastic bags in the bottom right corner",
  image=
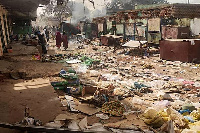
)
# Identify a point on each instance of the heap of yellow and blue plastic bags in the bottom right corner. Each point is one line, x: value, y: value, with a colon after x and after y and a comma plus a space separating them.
x: 166, y: 119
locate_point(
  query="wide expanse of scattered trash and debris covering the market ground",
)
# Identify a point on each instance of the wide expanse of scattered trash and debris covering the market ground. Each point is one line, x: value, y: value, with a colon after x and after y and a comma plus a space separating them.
x: 118, y: 92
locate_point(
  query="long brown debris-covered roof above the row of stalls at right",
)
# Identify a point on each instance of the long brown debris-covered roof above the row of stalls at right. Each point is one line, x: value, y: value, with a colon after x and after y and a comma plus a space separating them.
x: 162, y: 11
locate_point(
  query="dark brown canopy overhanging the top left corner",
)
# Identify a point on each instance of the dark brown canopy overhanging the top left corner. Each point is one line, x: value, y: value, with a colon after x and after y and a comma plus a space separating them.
x: 22, y: 8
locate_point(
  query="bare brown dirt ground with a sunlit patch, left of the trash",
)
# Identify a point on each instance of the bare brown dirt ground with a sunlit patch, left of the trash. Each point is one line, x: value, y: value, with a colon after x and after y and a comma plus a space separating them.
x: 34, y: 91
